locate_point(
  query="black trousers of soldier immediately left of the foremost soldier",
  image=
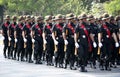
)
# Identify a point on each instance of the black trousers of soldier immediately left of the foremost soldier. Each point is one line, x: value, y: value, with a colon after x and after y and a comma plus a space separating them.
x: 69, y: 53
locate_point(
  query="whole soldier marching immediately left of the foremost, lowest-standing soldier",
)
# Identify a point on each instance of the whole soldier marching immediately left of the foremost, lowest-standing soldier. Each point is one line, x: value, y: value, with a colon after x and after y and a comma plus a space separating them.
x: 68, y: 35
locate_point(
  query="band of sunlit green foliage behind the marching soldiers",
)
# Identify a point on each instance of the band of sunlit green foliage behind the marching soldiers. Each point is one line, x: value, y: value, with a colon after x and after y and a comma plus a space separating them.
x: 53, y: 7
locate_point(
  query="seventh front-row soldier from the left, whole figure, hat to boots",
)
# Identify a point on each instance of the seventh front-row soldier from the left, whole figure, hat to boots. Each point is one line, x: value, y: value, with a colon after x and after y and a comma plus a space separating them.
x: 58, y: 41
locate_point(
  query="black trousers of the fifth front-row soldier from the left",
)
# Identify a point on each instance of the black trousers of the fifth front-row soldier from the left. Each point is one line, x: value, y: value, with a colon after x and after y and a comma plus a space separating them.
x: 38, y: 48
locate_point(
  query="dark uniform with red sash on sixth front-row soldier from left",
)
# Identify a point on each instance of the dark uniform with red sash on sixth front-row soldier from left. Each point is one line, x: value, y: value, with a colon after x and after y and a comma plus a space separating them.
x: 50, y: 43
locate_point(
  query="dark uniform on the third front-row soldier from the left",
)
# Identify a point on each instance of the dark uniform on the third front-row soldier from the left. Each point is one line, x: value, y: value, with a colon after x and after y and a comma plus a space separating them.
x: 20, y: 43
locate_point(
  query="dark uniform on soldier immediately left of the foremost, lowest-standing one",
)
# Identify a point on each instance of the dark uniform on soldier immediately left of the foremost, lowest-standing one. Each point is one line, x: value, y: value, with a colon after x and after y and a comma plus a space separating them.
x: 70, y: 48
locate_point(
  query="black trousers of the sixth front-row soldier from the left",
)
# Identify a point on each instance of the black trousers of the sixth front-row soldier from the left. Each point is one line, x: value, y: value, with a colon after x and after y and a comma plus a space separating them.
x: 49, y: 49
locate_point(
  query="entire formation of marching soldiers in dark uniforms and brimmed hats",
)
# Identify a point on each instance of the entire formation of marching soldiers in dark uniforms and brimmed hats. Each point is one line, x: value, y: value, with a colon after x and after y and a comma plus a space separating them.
x: 68, y: 39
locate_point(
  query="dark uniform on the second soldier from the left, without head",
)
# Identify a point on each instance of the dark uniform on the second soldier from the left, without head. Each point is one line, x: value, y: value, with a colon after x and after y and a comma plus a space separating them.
x: 11, y: 35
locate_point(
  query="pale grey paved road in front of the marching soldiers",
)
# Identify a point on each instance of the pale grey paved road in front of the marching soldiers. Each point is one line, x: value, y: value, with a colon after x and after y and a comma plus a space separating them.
x: 13, y: 68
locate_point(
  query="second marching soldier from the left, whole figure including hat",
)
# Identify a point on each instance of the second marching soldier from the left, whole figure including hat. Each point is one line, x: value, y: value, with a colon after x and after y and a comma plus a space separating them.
x: 11, y: 36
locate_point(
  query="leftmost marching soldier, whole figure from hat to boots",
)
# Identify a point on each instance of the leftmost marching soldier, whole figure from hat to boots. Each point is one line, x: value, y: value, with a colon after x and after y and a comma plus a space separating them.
x: 5, y: 26
